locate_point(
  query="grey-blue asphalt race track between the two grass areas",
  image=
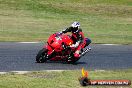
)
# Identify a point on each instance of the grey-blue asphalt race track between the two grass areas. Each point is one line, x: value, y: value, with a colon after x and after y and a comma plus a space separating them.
x: 21, y: 57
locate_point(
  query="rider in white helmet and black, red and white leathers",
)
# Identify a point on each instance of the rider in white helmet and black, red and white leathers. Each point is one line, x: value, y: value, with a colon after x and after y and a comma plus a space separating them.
x: 77, y: 37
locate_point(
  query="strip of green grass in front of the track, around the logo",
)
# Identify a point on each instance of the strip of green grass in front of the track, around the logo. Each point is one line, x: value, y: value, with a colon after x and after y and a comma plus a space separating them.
x: 63, y: 79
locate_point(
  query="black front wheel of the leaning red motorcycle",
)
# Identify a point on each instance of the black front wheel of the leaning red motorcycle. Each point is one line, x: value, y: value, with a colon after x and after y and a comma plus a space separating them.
x: 41, y: 56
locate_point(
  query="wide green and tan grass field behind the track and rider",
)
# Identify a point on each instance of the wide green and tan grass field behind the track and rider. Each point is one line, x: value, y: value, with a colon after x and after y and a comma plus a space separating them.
x: 104, y: 21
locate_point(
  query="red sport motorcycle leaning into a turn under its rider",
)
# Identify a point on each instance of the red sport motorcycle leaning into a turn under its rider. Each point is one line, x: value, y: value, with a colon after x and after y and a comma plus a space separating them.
x: 57, y: 49
